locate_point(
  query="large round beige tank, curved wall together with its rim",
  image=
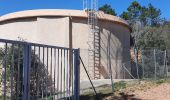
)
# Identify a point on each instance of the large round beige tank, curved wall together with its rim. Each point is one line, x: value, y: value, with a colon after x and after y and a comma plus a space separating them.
x: 52, y: 27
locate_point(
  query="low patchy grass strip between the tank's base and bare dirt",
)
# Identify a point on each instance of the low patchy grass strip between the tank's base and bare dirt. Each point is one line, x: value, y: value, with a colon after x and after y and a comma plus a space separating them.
x: 122, y: 88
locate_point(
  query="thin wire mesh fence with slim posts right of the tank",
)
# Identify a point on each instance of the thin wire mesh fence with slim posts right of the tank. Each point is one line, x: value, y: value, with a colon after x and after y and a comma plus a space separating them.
x: 148, y: 64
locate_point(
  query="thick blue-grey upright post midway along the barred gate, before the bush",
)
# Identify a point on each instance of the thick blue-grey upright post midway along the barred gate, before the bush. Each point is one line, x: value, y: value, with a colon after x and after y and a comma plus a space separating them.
x: 26, y: 71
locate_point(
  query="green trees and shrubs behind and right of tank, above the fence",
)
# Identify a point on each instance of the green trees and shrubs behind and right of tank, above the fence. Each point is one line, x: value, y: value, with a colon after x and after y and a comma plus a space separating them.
x: 149, y: 29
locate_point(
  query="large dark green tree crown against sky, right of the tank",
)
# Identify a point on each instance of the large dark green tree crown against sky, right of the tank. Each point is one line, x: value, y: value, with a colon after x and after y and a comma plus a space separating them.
x: 148, y: 15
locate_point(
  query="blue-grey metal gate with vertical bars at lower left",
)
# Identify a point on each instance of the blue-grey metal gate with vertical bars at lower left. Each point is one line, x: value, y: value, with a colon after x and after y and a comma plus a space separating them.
x: 30, y: 71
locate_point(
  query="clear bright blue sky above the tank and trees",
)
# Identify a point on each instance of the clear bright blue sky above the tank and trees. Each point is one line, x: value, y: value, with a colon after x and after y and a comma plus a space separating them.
x: 8, y: 6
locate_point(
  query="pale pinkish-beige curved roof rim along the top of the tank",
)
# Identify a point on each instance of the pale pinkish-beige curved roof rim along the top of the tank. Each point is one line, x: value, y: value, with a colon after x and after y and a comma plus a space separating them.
x: 61, y: 12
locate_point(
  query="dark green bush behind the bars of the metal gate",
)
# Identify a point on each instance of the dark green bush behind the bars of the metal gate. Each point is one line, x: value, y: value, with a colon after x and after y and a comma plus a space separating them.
x: 17, y: 52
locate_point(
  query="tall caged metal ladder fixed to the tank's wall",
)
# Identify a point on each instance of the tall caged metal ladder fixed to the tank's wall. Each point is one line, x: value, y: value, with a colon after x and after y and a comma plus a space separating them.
x: 94, y: 57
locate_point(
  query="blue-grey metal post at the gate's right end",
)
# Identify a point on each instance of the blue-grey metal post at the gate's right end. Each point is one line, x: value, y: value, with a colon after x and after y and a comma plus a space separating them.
x: 76, y: 74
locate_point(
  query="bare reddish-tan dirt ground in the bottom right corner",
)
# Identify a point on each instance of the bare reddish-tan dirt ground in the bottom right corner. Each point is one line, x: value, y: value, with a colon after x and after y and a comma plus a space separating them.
x: 143, y: 91
